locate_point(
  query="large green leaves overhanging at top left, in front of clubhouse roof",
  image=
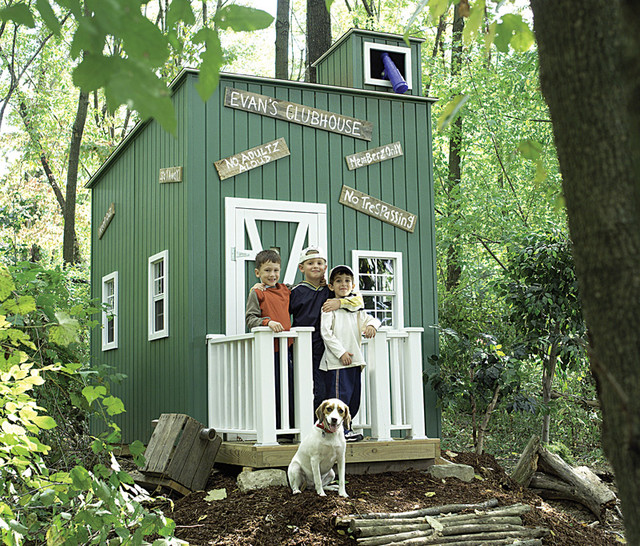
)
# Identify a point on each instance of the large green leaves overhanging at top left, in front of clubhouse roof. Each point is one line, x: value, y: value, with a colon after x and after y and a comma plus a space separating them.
x: 128, y: 74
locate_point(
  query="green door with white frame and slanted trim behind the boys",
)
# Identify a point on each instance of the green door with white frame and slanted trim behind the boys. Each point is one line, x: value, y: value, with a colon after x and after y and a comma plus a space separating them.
x: 252, y: 225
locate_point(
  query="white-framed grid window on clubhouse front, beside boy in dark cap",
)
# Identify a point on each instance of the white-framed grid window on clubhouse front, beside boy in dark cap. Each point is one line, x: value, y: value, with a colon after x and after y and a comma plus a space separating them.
x: 380, y: 283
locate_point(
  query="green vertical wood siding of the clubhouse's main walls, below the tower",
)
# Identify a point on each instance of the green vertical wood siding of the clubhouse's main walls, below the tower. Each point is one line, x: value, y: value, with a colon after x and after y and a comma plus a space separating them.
x: 187, y: 219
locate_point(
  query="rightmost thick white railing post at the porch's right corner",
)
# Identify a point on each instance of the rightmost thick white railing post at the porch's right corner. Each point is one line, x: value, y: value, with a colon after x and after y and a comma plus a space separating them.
x: 413, y: 382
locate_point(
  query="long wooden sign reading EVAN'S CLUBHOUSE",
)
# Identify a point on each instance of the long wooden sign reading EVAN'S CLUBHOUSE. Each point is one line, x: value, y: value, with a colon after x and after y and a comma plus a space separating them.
x: 297, y: 113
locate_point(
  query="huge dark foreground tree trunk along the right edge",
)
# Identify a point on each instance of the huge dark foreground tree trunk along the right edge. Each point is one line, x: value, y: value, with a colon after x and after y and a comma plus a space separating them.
x: 590, y: 58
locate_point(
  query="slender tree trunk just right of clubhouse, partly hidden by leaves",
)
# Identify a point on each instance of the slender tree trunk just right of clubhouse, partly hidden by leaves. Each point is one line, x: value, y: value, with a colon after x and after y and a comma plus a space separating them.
x: 454, y: 267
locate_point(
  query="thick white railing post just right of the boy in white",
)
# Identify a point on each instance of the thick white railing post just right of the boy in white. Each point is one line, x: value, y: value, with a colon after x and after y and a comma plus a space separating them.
x: 380, y: 387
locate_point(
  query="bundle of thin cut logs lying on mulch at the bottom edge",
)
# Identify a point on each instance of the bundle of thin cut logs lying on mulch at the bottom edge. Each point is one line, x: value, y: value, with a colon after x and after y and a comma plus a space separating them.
x: 487, y: 524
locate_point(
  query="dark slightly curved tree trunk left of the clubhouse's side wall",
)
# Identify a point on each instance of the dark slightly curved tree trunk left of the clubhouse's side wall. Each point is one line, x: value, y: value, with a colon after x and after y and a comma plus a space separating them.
x: 70, y: 247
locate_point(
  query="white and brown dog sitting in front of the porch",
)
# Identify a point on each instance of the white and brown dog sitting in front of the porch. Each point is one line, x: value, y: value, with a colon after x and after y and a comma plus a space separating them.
x: 323, y: 447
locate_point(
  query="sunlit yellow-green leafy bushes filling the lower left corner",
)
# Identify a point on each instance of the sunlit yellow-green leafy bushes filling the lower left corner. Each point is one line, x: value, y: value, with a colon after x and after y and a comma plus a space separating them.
x: 45, y: 496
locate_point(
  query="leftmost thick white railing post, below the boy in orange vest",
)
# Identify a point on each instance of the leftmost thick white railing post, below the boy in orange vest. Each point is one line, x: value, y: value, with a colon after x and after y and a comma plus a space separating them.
x: 265, y: 388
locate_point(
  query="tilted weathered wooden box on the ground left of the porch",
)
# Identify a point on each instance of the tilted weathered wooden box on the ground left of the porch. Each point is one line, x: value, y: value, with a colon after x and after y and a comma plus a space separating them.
x: 181, y: 450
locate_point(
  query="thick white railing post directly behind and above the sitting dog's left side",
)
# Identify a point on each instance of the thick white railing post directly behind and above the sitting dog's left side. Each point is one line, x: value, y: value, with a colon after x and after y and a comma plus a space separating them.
x: 303, y: 379
